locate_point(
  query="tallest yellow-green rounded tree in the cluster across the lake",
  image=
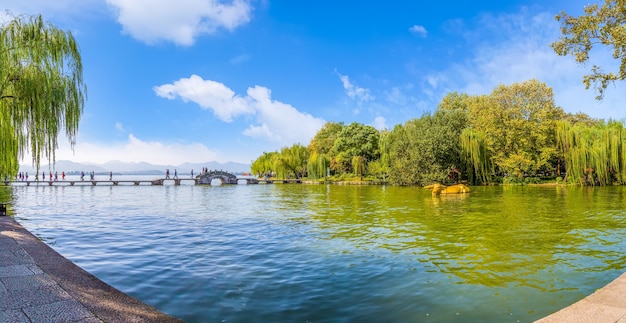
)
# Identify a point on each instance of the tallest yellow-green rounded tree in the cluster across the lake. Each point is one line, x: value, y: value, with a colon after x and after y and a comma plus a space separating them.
x: 512, y: 131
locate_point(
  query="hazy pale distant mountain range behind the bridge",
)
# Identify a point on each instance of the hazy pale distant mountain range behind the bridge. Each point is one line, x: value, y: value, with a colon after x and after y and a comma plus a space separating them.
x: 141, y: 168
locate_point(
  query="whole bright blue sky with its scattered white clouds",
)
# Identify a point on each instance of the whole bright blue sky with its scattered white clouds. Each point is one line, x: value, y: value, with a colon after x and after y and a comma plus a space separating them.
x: 208, y: 80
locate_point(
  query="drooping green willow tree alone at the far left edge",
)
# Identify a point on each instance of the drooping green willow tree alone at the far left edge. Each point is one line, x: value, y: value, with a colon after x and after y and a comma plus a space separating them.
x: 41, y: 90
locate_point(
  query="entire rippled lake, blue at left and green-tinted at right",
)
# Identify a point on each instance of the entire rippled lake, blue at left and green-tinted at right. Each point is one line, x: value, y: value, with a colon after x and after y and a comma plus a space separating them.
x: 335, y: 253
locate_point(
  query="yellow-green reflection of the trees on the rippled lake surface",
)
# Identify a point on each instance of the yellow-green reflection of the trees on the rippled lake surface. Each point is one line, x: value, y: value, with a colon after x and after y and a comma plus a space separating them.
x: 494, y: 236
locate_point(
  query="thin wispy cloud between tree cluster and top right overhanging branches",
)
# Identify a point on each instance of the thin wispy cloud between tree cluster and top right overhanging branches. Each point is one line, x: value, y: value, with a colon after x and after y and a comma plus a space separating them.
x: 521, y: 52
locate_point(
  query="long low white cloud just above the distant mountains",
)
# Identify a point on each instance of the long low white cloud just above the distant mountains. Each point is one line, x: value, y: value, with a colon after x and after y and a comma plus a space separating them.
x: 135, y: 150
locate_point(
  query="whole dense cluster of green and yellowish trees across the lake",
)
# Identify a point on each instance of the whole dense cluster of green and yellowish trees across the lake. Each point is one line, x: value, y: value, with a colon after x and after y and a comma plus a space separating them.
x: 515, y: 134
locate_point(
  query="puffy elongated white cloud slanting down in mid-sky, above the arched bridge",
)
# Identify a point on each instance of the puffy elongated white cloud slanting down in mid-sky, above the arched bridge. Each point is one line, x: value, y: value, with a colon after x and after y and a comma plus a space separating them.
x: 276, y: 121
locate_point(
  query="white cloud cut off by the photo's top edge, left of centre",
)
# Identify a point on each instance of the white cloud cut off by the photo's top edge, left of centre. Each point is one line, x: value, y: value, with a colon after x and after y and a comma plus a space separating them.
x: 179, y: 21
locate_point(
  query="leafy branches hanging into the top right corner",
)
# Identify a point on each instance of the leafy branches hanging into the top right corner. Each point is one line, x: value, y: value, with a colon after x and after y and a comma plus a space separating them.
x: 600, y: 25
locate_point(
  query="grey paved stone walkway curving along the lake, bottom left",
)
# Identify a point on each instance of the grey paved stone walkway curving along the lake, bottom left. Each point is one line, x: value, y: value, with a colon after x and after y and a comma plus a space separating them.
x: 39, y: 285
